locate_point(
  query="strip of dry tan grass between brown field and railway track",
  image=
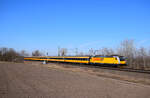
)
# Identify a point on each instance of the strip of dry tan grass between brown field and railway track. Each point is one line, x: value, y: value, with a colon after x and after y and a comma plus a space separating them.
x: 96, y: 72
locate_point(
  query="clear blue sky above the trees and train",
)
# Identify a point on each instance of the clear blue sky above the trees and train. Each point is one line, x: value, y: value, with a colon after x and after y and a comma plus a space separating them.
x: 83, y: 24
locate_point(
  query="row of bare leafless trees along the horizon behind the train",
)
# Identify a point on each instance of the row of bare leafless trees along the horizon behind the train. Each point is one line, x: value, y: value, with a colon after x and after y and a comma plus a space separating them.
x: 136, y: 57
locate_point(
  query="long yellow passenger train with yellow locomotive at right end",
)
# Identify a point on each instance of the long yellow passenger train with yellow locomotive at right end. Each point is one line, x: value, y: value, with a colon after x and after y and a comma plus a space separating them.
x: 112, y: 60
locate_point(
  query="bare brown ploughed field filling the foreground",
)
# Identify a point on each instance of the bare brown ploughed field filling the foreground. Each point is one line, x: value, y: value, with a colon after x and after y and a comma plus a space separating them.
x: 18, y: 80
